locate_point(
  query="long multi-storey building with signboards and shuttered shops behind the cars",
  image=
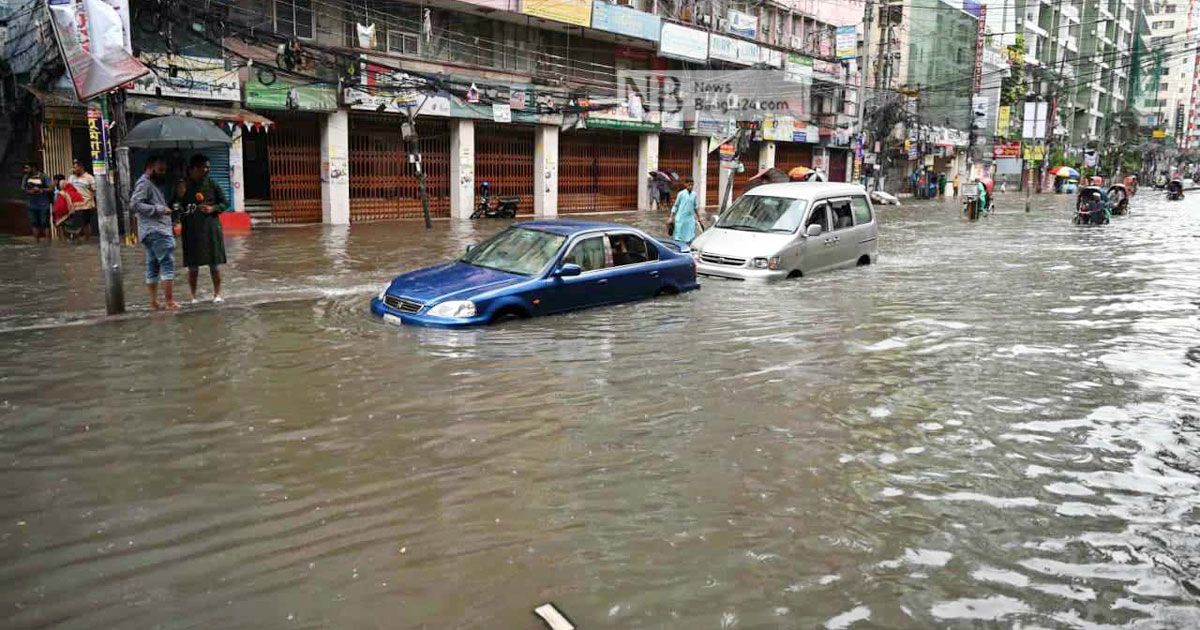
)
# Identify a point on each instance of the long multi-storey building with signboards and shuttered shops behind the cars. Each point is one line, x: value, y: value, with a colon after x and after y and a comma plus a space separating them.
x: 520, y: 94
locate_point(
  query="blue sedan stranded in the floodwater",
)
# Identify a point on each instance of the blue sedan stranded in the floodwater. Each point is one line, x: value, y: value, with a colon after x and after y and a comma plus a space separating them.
x: 539, y: 268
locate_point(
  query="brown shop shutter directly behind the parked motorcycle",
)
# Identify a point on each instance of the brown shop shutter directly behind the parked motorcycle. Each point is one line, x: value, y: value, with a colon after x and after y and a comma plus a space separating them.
x: 505, y: 160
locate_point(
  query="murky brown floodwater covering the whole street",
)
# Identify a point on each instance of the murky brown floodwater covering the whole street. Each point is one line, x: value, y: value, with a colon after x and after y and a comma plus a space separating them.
x: 999, y: 424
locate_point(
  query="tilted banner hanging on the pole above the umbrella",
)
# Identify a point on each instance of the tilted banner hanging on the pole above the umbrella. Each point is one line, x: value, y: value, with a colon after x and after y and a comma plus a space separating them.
x: 93, y: 41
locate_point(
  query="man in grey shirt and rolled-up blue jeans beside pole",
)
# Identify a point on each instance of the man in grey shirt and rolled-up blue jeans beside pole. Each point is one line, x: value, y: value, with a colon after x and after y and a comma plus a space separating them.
x: 157, y: 233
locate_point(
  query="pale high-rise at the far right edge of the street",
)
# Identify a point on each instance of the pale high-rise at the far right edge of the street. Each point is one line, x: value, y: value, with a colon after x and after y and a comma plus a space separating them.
x: 1172, y: 77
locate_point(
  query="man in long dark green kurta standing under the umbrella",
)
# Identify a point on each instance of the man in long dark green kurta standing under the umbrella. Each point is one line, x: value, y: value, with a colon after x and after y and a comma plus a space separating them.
x: 202, y: 202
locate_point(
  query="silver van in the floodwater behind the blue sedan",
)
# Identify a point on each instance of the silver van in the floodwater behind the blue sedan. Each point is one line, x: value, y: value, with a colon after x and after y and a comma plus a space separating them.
x: 782, y: 231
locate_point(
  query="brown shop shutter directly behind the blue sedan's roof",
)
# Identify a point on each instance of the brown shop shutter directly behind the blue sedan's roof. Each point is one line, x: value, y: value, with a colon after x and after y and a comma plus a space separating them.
x: 598, y: 172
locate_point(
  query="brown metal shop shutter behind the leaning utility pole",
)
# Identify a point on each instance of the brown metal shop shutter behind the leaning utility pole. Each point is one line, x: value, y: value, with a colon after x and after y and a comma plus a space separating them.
x: 383, y: 182
